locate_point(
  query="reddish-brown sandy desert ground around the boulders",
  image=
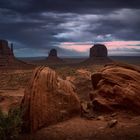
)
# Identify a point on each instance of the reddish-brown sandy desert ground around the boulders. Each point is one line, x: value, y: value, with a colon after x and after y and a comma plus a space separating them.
x: 13, y: 83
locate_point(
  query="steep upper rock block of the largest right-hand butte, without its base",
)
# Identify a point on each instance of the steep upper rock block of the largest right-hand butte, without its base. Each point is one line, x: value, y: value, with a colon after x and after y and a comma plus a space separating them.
x: 98, y: 50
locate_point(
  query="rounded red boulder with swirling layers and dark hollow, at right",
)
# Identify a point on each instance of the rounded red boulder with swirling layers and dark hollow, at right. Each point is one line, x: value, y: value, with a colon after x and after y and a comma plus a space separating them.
x: 117, y: 86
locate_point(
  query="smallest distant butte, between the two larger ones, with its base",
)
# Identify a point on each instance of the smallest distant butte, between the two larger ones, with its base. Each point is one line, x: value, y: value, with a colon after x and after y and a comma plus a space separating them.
x: 53, y: 57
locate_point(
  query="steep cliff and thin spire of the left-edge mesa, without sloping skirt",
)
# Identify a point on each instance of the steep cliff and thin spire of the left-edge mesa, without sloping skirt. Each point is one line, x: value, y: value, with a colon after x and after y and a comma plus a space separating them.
x: 6, y: 54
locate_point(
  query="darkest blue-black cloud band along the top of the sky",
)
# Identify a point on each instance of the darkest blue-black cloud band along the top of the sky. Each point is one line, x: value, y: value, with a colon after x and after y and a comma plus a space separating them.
x: 66, y: 5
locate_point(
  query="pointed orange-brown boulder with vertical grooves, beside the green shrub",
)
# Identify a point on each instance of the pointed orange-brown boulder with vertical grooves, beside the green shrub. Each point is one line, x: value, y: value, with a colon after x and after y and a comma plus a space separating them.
x: 48, y: 99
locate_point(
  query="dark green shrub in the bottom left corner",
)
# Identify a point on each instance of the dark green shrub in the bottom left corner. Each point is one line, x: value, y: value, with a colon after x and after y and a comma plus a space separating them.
x: 10, y: 124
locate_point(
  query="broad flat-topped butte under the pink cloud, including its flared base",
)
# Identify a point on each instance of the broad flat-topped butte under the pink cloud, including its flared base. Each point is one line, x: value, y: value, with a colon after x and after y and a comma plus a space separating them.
x: 98, y: 54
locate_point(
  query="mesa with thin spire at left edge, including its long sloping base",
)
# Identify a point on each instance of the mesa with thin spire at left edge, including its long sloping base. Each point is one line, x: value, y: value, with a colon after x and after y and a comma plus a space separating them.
x: 7, y: 58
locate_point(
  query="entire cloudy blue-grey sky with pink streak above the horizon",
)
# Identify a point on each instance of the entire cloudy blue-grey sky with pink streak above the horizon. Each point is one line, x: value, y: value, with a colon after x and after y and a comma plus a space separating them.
x: 71, y: 26
